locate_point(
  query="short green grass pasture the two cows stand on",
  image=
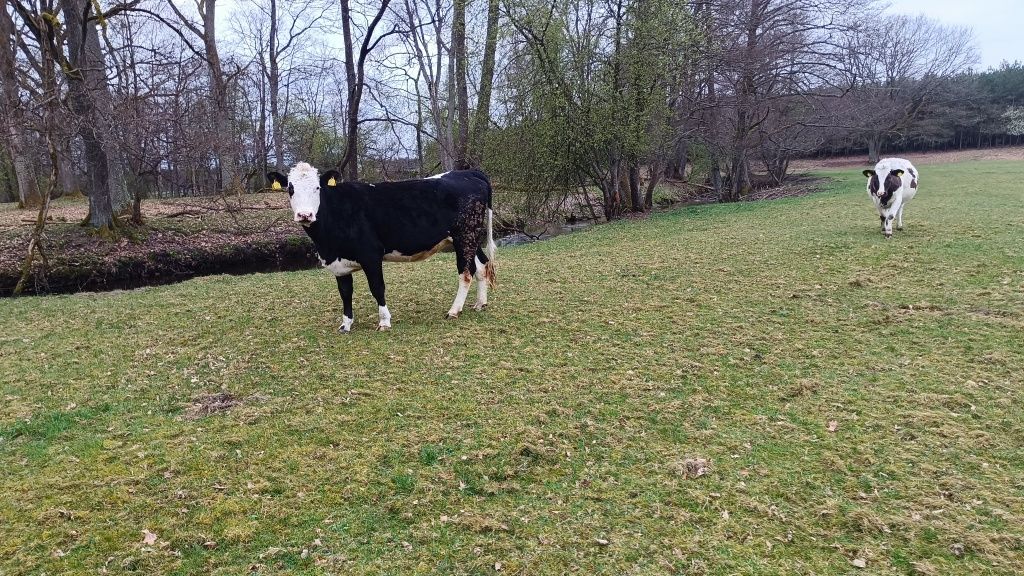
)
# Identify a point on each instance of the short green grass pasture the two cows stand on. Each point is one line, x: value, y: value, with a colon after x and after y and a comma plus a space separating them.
x: 860, y: 403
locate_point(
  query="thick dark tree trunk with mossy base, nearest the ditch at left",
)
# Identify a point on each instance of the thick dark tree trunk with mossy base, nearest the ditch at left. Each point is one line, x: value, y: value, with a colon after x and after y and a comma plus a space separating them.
x: 91, y: 99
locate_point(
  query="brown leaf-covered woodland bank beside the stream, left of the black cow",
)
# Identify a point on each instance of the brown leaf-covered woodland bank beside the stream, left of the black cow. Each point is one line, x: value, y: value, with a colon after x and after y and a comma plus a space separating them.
x: 183, y: 239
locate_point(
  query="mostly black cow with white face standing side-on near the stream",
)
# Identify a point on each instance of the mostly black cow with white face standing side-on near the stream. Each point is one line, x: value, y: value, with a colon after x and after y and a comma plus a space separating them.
x: 359, y: 226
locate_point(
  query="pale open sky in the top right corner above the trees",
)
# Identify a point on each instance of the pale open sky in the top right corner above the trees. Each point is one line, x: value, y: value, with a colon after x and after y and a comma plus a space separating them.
x: 999, y: 25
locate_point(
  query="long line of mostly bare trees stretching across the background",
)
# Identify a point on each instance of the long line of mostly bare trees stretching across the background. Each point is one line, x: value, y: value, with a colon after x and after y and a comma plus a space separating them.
x: 589, y: 104
